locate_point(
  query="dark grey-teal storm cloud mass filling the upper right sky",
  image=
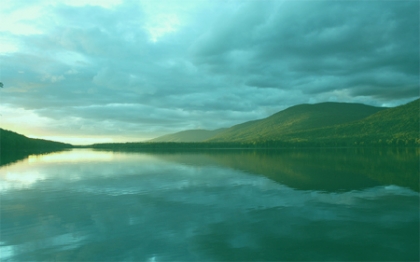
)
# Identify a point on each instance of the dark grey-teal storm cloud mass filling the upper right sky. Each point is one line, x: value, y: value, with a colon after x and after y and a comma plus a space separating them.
x: 318, y: 46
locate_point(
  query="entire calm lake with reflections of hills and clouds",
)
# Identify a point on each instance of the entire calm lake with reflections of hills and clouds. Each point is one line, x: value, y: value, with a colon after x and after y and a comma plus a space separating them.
x: 218, y: 205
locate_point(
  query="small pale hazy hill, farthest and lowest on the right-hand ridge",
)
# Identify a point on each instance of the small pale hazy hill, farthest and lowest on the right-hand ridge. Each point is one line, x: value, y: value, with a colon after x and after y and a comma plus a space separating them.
x: 198, y: 135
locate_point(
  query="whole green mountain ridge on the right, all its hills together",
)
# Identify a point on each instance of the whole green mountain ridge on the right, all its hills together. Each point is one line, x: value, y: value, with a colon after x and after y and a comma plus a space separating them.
x: 326, y: 123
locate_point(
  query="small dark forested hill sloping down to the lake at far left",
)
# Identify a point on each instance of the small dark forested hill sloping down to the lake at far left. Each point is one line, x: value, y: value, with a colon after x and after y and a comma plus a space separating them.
x: 11, y: 141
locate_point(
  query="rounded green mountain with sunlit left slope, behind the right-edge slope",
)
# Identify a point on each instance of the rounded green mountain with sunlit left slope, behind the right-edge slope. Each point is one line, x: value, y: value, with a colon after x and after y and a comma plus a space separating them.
x: 295, y: 119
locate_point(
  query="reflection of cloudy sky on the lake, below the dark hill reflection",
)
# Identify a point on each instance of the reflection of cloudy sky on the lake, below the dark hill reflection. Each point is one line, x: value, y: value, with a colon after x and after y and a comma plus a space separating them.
x: 143, y: 207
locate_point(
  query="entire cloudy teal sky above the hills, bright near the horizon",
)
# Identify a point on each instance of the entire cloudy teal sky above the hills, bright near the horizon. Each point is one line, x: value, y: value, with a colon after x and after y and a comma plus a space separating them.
x: 83, y: 72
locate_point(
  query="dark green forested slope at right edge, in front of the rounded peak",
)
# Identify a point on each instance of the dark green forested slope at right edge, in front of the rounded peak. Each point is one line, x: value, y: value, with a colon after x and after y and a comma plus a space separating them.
x: 399, y: 125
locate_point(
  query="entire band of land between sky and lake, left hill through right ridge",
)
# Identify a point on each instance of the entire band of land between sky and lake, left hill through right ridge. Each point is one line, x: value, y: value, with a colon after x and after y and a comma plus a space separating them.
x: 324, y: 124
